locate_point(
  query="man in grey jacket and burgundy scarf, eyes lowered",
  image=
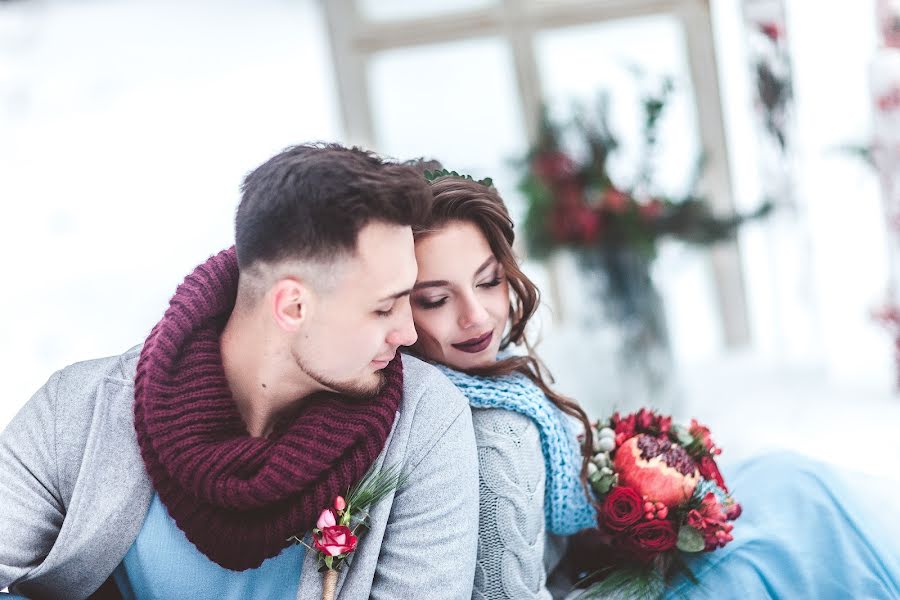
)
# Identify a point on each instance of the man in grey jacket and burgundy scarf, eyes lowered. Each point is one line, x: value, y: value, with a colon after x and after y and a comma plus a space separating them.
x: 272, y: 383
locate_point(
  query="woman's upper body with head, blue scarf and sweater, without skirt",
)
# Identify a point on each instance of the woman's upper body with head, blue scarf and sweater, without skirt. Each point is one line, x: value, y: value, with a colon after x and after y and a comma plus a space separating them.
x: 461, y: 305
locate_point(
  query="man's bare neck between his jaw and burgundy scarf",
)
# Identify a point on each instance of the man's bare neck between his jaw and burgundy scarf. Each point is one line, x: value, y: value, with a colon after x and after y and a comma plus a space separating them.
x: 264, y: 381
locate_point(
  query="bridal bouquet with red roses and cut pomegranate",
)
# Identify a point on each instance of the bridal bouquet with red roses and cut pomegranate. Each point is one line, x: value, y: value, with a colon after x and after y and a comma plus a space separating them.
x: 660, y: 496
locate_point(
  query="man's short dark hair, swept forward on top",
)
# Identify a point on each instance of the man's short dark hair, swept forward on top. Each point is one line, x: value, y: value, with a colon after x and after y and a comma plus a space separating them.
x: 311, y: 201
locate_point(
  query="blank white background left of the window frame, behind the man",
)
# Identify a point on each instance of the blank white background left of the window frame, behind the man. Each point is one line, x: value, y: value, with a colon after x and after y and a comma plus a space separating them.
x: 125, y: 132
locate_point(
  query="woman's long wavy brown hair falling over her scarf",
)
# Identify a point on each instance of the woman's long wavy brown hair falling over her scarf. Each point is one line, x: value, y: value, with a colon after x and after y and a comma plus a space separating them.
x: 459, y: 199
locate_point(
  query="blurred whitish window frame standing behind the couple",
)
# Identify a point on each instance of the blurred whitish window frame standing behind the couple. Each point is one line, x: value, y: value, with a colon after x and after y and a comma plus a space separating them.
x: 354, y: 40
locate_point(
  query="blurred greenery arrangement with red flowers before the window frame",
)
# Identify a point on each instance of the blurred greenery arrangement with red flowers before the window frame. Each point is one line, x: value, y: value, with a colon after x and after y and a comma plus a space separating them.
x: 614, y: 227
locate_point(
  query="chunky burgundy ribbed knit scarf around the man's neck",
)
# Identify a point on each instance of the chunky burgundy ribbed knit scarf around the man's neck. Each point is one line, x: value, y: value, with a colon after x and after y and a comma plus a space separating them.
x: 239, y: 498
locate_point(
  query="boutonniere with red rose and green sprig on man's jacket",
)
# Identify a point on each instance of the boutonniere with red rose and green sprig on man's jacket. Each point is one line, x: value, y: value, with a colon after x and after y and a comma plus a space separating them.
x: 339, y: 526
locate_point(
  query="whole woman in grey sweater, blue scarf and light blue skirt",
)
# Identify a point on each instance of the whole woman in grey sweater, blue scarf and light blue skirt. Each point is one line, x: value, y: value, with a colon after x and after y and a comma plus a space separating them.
x: 470, y: 303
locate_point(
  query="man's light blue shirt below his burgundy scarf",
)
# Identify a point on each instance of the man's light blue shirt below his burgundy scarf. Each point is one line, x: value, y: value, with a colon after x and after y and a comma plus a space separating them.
x: 163, y: 564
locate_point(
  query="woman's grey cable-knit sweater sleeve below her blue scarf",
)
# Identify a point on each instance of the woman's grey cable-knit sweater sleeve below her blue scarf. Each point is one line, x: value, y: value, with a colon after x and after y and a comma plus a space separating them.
x: 511, y: 519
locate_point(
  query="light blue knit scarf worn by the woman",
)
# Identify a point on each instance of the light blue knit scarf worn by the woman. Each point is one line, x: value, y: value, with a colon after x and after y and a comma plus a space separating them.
x: 566, y: 508
